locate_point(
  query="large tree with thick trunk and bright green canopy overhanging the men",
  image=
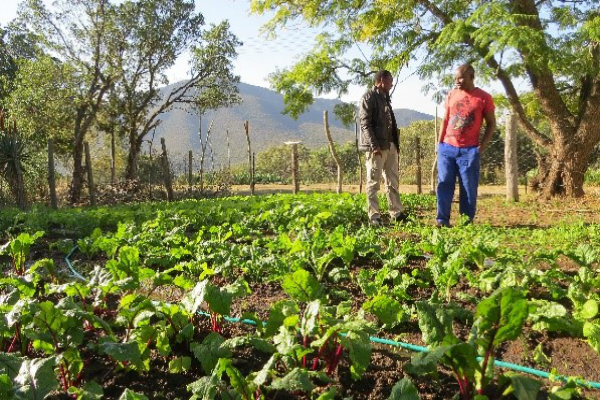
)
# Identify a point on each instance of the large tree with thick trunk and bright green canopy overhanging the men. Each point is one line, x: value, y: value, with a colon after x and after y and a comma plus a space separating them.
x: 553, y: 44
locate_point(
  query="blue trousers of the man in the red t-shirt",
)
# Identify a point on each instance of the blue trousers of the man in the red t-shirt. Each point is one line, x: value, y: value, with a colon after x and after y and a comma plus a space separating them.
x: 453, y: 162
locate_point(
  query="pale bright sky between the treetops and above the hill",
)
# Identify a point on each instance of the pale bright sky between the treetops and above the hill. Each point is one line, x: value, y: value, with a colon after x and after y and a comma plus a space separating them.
x: 259, y: 56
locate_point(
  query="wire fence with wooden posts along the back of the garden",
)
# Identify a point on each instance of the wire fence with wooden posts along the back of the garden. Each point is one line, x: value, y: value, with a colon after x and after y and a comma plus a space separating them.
x: 220, y: 168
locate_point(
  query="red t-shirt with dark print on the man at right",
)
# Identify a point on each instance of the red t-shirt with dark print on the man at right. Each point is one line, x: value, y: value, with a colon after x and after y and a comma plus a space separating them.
x: 464, y: 113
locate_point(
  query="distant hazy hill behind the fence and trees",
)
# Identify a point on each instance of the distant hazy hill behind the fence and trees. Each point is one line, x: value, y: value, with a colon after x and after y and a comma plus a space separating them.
x: 268, y: 127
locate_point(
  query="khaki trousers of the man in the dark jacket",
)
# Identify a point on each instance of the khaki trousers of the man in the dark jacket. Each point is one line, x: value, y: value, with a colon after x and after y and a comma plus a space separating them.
x: 387, y: 163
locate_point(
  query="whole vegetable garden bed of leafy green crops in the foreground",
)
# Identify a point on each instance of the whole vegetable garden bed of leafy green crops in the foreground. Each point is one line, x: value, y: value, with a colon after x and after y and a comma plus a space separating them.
x: 294, y: 296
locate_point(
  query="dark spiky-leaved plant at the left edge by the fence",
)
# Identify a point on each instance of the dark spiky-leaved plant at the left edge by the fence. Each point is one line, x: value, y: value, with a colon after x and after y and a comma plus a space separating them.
x: 12, y: 155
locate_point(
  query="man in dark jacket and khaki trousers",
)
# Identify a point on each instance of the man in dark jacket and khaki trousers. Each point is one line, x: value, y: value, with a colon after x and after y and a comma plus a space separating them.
x: 379, y: 138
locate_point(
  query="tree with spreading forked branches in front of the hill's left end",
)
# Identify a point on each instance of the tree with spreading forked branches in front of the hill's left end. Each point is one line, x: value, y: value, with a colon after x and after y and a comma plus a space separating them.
x: 155, y: 33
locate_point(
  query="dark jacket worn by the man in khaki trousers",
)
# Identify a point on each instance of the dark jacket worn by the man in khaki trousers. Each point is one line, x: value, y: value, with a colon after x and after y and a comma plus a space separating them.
x: 372, y: 121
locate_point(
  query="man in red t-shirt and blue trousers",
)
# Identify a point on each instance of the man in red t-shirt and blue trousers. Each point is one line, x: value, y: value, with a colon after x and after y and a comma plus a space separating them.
x: 467, y: 107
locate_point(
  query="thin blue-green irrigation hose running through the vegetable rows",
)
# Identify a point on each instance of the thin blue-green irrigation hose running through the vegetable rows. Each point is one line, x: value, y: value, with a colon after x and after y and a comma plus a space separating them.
x: 404, y: 345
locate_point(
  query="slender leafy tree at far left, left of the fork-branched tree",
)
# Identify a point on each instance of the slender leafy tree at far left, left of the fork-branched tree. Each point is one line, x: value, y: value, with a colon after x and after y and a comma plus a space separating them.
x: 83, y: 34
